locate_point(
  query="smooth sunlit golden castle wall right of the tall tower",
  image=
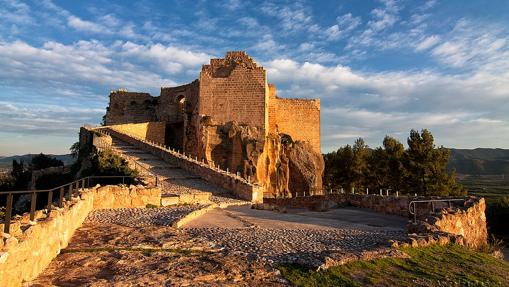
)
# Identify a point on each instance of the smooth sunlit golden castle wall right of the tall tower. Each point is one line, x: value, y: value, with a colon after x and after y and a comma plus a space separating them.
x: 298, y: 118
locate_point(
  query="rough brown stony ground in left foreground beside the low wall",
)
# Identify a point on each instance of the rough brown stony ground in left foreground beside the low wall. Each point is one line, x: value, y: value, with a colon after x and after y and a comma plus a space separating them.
x: 119, y: 248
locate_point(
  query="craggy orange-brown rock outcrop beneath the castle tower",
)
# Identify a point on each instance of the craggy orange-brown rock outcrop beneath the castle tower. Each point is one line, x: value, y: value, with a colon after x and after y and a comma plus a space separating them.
x: 285, y: 168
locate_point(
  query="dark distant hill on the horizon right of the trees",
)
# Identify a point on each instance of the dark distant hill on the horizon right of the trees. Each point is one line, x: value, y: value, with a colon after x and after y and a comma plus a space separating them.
x: 480, y: 161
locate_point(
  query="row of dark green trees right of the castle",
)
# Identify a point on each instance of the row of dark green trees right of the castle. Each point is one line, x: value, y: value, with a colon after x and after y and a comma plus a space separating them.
x: 420, y: 168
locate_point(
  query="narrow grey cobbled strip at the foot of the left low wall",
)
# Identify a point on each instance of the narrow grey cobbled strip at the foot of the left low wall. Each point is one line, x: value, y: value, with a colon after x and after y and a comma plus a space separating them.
x: 137, y: 217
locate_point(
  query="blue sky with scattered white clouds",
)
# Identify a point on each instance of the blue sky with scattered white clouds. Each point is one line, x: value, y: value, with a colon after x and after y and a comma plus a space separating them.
x: 379, y: 67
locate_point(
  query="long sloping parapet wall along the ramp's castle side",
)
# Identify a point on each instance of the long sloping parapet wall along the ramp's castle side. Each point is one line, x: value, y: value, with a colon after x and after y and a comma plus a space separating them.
x: 239, y: 186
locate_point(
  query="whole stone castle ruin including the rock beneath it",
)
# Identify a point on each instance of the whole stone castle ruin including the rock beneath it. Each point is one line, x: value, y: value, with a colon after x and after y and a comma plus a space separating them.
x: 232, y: 117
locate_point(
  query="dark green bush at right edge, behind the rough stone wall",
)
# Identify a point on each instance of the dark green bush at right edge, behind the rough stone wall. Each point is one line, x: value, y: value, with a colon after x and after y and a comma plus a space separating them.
x: 497, y: 214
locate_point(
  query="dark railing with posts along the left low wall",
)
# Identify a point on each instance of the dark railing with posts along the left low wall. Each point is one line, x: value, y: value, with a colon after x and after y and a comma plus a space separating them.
x: 72, y: 187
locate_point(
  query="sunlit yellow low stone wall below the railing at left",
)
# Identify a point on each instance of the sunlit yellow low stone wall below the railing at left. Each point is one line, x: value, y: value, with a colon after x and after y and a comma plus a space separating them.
x: 30, y: 246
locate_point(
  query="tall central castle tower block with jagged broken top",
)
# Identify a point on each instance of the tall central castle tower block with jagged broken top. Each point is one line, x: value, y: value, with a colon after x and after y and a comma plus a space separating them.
x: 234, y: 89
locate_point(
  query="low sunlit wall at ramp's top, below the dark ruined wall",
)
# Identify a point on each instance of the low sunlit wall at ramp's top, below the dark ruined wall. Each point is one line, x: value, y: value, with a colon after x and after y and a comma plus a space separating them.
x: 151, y: 131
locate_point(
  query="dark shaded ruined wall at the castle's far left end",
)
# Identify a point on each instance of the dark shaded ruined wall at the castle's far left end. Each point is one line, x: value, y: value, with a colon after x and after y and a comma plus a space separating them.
x: 128, y: 107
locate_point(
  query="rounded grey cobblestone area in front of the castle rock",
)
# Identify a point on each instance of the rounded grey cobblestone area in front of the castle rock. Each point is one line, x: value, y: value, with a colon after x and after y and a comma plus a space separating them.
x: 289, y: 238
